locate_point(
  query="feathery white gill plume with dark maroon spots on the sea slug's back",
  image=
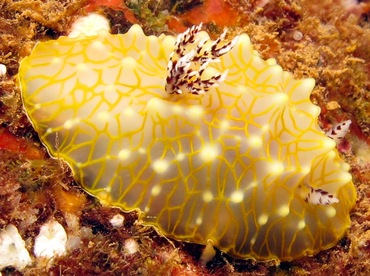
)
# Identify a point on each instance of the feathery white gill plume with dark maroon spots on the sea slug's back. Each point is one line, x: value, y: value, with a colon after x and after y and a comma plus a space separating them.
x: 191, y: 58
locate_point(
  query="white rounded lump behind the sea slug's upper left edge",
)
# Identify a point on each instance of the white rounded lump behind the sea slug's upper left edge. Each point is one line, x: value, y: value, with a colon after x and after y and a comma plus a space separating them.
x: 89, y: 25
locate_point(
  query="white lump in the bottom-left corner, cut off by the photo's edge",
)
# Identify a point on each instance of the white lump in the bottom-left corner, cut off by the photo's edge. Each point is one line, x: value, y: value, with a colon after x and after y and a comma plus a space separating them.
x: 12, y: 249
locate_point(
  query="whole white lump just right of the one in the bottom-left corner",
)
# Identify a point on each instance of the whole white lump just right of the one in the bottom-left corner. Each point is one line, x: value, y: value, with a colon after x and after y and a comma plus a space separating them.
x: 51, y: 240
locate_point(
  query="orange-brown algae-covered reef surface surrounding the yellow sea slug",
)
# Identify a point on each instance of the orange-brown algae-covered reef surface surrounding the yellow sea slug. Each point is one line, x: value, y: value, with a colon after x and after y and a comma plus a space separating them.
x: 332, y: 48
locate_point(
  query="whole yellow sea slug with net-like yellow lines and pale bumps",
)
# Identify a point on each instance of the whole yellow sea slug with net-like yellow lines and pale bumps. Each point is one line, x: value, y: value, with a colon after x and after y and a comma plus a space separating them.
x: 208, y: 140
